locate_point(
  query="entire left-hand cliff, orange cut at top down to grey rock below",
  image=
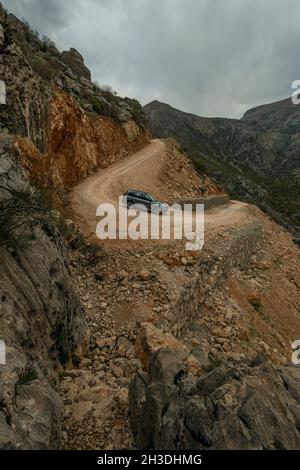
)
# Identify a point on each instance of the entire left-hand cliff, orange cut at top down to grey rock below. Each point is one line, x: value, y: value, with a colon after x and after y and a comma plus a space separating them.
x: 56, y: 127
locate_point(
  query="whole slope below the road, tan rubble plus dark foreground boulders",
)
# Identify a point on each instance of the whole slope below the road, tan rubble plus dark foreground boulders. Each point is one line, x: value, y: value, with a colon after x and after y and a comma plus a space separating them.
x: 222, y: 312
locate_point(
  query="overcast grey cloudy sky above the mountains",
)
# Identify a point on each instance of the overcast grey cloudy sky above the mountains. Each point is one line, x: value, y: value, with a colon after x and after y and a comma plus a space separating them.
x: 209, y: 57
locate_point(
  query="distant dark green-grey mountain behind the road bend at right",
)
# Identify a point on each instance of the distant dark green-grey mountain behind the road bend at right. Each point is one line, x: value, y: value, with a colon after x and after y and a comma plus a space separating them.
x: 257, y: 158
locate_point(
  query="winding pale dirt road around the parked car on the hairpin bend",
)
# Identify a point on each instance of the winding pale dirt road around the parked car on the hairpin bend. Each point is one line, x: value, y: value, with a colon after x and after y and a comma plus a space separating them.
x: 140, y: 171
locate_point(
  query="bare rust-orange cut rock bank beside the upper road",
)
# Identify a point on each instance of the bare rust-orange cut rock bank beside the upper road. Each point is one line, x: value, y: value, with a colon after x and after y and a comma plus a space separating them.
x: 78, y: 144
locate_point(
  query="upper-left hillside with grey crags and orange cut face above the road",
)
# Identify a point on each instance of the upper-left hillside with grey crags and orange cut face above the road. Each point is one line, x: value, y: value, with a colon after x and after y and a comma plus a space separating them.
x: 67, y: 127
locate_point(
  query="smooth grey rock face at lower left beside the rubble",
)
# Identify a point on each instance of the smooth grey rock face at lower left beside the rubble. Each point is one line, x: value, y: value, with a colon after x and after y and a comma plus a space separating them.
x: 43, y: 327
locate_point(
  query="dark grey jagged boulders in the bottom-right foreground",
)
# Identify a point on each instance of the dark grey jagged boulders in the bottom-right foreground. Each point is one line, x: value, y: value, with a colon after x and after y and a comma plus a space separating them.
x: 244, y: 406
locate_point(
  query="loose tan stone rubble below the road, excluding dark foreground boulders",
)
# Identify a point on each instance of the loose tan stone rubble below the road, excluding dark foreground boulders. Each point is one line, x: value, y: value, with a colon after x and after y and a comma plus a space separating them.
x: 130, y: 298
